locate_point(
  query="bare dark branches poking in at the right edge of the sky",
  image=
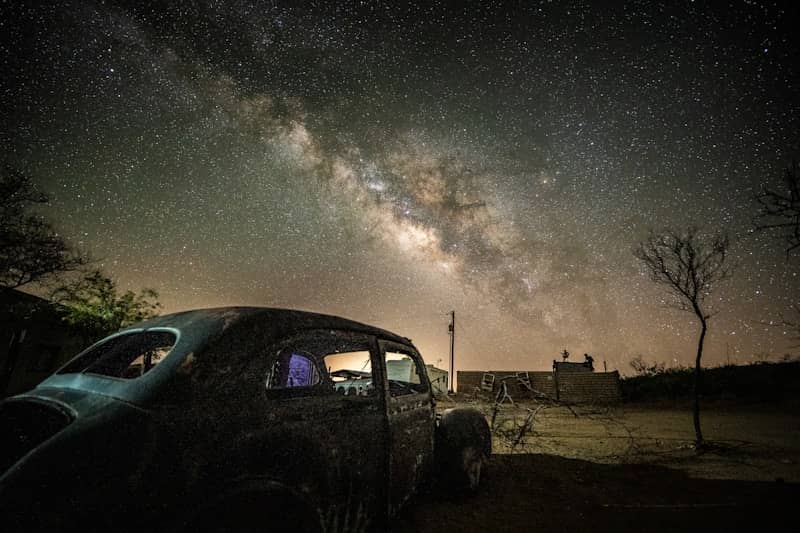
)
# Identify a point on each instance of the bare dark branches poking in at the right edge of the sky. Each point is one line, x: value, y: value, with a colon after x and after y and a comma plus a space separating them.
x: 779, y: 211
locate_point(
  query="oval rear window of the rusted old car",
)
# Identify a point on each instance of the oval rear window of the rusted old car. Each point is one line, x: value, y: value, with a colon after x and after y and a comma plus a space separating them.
x: 126, y: 356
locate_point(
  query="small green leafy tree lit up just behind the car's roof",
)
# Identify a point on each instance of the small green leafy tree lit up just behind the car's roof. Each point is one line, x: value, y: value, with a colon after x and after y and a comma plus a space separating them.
x: 94, y: 307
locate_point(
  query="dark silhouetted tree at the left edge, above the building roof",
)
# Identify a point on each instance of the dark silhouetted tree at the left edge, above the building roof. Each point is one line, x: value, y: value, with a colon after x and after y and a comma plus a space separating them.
x: 30, y: 248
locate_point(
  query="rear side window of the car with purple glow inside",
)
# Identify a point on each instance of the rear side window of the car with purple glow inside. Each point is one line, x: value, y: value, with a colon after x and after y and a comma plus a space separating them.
x: 323, y: 362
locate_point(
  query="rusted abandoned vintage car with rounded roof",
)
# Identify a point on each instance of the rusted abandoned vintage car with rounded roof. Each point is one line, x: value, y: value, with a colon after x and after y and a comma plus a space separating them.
x: 232, y: 419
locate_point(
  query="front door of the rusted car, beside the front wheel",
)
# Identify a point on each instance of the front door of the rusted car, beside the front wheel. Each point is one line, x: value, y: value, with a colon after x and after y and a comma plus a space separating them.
x: 411, y: 419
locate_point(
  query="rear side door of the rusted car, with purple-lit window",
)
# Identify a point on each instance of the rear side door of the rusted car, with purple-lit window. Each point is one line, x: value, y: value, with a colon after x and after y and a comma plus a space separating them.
x: 331, y: 423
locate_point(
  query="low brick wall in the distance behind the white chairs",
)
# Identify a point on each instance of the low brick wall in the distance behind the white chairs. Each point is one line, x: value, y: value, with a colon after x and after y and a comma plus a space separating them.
x: 573, y: 387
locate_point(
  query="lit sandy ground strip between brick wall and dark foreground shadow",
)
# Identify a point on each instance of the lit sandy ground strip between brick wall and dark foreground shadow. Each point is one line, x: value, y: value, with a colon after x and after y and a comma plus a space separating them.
x: 755, y: 442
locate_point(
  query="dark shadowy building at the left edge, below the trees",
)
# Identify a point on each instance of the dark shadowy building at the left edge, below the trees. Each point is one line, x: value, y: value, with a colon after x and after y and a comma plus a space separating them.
x: 34, y: 342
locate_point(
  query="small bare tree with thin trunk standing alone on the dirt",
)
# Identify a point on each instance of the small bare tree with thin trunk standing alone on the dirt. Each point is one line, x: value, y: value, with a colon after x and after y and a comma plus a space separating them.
x: 690, y: 266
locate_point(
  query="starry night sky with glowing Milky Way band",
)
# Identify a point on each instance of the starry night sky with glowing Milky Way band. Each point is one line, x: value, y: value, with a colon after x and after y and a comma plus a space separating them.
x: 391, y: 163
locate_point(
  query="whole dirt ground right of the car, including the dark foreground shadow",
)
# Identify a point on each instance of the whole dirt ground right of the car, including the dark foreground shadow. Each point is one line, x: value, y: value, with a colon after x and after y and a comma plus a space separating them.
x: 628, y: 468
